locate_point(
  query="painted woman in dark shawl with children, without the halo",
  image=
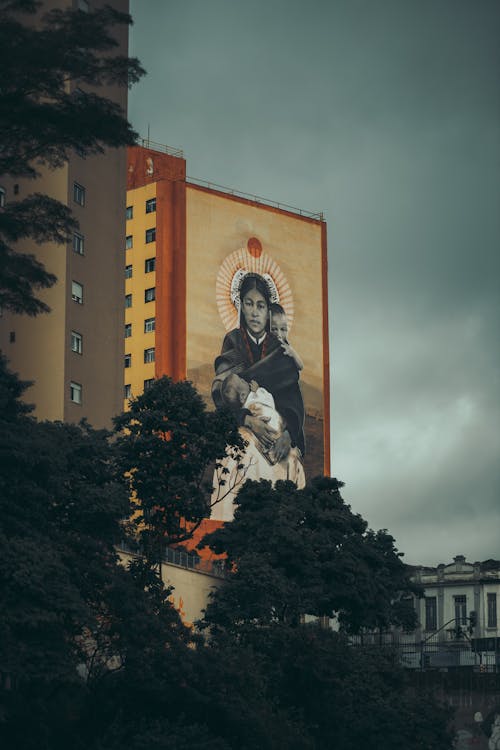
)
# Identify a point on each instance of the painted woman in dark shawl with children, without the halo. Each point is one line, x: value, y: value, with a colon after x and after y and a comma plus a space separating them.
x: 257, y: 376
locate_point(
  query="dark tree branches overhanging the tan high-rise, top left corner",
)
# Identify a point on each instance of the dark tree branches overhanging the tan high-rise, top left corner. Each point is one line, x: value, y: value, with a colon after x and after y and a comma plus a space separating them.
x: 45, y: 115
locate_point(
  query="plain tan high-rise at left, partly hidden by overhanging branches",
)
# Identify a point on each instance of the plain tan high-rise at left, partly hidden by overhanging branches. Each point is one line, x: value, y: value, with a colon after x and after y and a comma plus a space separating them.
x: 74, y: 353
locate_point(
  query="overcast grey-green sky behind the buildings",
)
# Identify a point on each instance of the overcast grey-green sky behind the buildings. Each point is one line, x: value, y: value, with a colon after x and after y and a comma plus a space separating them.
x: 386, y: 116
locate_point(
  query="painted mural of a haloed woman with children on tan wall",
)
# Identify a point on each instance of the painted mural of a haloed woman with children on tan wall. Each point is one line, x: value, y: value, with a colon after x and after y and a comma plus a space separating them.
x: 256, y: 333
